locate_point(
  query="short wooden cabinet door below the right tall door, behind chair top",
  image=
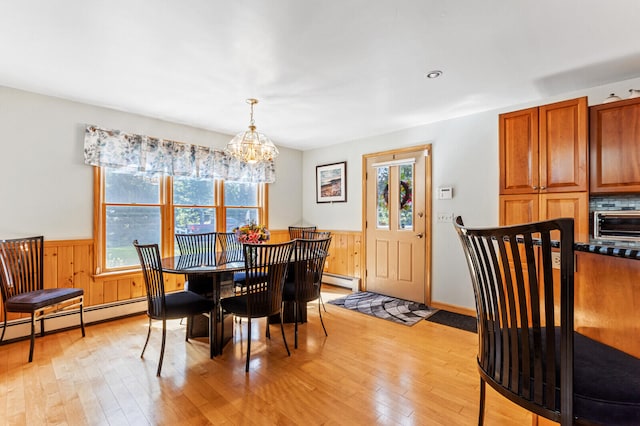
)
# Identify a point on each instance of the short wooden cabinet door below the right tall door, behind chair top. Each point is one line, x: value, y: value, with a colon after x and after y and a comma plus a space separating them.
x: 568, y: 204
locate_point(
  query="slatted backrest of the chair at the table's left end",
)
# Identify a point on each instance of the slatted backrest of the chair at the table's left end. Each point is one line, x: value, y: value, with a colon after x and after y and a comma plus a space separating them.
x: 151, y: 262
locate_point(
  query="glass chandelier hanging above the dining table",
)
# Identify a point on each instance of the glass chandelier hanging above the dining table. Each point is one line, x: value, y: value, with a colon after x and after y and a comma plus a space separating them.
x: 251, y: 146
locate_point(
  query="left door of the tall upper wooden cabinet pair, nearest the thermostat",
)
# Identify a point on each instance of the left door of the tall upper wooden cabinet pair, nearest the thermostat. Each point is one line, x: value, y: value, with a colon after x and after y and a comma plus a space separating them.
x: 519, y: 152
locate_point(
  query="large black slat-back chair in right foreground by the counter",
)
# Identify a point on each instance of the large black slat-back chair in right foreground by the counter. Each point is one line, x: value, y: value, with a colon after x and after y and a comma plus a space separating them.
x: 528, y: 349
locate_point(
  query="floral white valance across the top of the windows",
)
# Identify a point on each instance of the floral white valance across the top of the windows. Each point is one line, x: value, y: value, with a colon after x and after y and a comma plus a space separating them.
x: 140, y: 153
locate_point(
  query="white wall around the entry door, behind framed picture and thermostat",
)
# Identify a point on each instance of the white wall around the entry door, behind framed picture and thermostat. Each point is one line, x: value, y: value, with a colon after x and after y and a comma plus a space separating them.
x: 465, y: 156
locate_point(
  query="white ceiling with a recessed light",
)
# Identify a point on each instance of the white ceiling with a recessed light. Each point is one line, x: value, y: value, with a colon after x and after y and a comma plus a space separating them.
x: 325, y: 71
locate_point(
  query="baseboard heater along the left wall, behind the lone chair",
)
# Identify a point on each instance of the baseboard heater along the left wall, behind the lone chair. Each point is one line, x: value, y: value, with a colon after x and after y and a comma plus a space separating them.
x: 17, y: 329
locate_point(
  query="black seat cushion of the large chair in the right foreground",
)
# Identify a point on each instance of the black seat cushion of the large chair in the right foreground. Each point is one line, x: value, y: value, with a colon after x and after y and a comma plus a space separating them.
x: 606, y: 383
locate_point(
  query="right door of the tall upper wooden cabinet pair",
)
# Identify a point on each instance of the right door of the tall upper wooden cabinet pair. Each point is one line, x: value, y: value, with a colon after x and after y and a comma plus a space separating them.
x: 563, y: 134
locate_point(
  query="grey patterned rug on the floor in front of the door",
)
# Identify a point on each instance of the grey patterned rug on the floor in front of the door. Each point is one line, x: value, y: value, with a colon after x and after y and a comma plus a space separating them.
x: 386, y: 307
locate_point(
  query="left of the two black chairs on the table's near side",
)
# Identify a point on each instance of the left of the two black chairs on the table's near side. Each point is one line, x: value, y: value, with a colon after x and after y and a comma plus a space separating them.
x: 265, y: 270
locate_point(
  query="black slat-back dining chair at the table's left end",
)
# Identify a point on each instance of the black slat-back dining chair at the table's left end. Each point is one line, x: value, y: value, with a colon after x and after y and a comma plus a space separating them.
x: 163, y: 306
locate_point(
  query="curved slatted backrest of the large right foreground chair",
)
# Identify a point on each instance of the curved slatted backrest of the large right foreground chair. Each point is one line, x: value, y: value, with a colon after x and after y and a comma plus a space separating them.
x: 525, y: 334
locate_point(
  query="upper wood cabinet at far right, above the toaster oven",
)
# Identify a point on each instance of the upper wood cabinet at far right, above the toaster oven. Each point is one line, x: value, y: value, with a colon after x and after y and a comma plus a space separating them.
x: 615, y: 147
